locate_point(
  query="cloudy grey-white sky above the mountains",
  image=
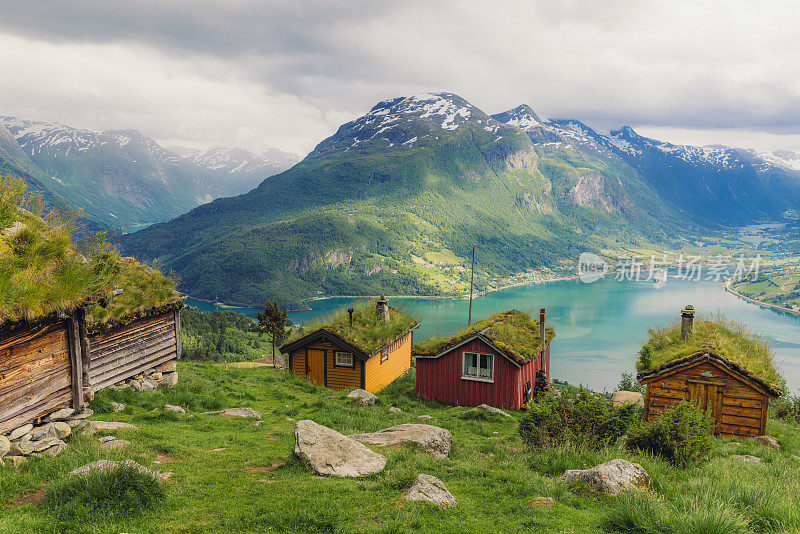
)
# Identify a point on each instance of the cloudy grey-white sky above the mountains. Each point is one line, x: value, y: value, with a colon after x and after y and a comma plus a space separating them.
x: 287, y: 73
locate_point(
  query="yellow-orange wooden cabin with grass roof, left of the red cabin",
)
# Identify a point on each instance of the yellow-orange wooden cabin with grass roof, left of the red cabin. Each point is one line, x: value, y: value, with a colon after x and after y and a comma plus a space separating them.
x: 368, y: 352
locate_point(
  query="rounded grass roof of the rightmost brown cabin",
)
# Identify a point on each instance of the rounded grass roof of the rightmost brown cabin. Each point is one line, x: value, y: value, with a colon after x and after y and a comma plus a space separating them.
x: 717, y: 335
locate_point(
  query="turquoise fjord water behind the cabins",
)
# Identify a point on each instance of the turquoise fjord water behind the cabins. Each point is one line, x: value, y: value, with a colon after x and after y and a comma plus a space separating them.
x: 599, y: 327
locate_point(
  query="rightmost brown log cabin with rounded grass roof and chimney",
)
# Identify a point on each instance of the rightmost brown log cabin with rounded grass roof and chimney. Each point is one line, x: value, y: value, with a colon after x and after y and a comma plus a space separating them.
x: 716, y: 364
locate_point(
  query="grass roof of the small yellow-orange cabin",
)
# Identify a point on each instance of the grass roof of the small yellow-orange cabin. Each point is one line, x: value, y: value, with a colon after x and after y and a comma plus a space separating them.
x: 368, y: 333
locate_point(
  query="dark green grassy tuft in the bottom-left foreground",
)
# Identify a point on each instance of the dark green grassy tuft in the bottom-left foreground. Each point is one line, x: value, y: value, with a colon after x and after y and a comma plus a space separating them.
x: 114, y: 494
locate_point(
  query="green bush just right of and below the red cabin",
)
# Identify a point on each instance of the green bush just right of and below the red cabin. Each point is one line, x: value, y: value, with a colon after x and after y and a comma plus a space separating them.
x: 582, y: 419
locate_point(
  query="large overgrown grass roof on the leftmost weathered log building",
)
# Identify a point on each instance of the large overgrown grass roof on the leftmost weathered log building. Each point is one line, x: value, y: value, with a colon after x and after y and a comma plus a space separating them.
x: 44, y: 272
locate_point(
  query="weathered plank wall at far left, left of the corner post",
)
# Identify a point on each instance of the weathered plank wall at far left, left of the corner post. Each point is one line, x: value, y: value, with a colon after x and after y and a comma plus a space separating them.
x: 35, y: 373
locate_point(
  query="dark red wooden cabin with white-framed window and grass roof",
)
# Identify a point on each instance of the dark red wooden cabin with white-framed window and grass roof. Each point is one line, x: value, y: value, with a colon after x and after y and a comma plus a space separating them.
x: 494, y: 361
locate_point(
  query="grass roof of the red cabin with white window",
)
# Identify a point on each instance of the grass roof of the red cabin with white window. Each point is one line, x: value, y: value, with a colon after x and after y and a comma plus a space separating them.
x: 513, y: 332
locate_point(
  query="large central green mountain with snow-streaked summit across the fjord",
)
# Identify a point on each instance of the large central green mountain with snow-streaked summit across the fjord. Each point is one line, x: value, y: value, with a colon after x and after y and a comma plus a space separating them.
x: 394, y: 201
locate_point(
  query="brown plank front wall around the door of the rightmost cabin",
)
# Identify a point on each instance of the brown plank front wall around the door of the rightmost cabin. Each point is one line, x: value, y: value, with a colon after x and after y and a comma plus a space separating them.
x: 743, y: 407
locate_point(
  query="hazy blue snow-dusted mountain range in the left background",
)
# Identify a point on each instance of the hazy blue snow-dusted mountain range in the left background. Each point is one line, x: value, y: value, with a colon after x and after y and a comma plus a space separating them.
x: 120, y: 177
